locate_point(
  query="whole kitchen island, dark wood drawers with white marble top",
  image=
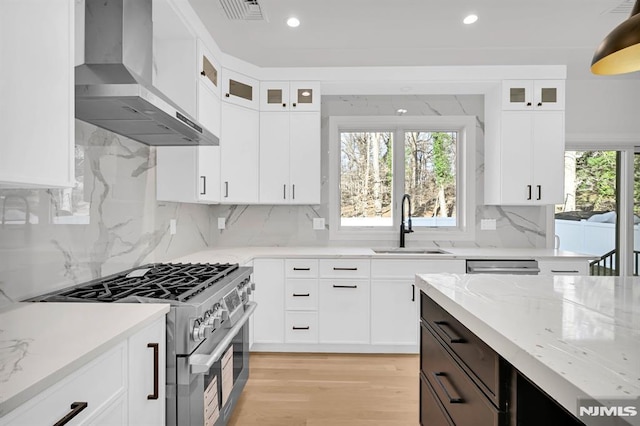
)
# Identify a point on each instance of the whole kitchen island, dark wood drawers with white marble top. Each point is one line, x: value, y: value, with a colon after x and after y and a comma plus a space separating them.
x: 575, y: 338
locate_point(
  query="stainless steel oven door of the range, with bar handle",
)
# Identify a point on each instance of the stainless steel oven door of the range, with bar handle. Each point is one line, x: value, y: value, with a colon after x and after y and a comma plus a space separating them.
x: 211, y: 379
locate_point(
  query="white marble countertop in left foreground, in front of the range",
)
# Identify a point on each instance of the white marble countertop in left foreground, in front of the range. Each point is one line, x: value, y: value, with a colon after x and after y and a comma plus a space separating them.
x: 41, y: 343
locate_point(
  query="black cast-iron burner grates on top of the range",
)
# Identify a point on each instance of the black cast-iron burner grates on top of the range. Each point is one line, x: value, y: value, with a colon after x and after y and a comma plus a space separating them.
x: 164, y: 281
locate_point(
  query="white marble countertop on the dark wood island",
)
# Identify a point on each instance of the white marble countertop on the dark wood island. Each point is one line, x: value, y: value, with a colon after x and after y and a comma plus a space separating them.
x: 574, y: 336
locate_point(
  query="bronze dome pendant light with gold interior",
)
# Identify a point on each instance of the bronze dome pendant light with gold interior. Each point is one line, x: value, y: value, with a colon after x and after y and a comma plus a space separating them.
x: 619, y: 52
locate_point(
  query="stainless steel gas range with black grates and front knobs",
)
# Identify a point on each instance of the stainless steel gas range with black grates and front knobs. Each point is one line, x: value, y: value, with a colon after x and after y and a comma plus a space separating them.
x: 207, y: 330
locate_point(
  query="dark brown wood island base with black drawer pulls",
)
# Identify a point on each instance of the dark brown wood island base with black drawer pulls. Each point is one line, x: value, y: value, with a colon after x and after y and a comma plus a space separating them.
x: 463, y: 382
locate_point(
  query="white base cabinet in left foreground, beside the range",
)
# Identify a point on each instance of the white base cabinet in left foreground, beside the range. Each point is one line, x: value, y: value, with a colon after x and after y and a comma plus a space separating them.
x: 116, y: 388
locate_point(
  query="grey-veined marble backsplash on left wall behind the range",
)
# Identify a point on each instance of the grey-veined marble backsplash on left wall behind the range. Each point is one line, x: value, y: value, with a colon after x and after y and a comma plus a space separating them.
x: 109, y: 222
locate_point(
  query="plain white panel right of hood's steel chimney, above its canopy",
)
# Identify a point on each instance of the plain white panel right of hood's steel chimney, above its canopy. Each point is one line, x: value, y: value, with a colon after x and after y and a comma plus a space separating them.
x: 174, y: 50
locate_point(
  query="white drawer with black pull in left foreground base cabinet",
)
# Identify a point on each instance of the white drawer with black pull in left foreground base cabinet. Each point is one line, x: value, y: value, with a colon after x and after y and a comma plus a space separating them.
x: 50, y: 406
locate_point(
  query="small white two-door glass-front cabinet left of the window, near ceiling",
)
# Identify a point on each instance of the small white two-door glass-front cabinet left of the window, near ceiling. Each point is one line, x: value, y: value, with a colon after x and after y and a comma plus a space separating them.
x: 290, y: 96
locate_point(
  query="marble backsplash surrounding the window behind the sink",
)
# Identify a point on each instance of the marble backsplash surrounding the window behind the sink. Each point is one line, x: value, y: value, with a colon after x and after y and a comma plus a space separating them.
x: 292, y: 225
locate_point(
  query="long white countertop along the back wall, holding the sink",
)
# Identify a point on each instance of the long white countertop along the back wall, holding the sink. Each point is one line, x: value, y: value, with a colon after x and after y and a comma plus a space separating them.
x: 245, y: 254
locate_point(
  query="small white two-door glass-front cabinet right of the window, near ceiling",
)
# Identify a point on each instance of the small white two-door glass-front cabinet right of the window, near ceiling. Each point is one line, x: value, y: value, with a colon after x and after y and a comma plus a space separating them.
x: 533, y: 95
